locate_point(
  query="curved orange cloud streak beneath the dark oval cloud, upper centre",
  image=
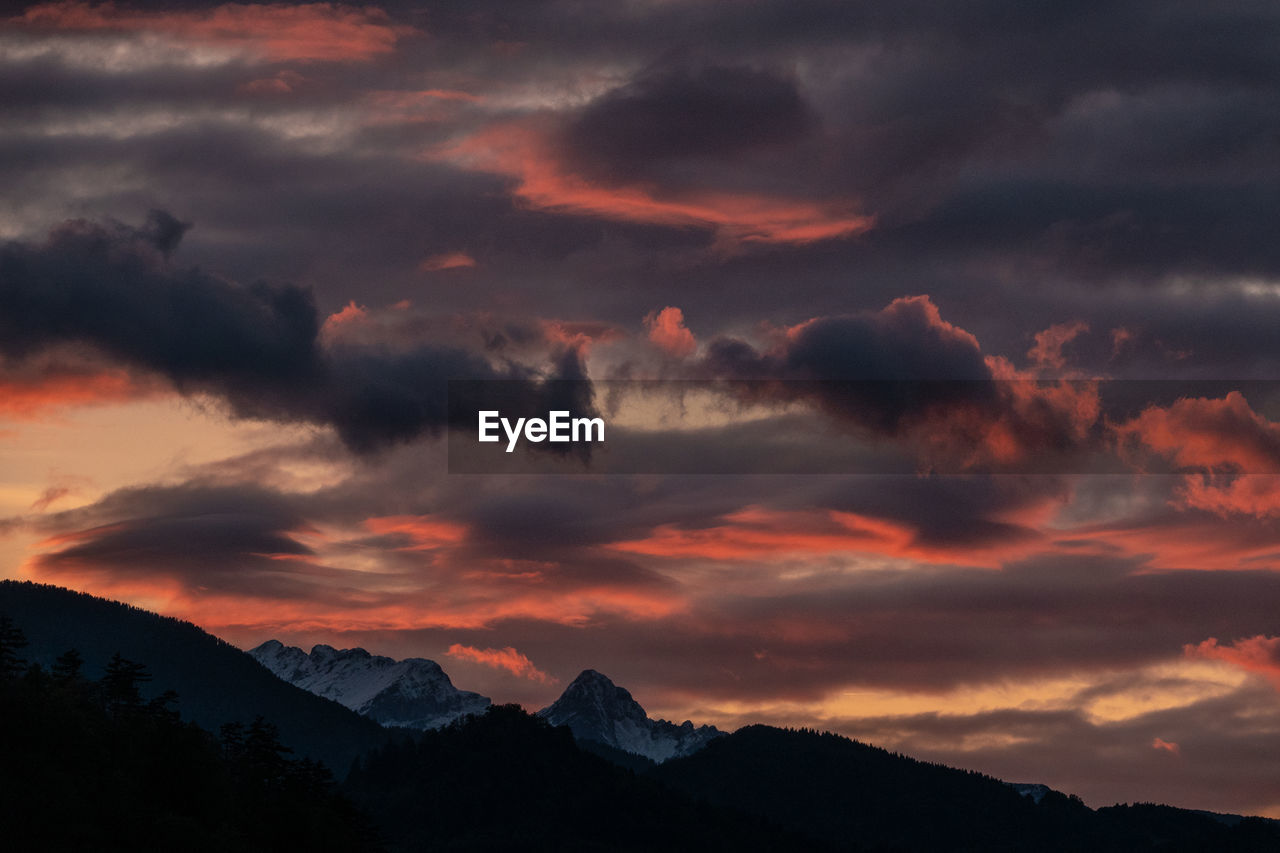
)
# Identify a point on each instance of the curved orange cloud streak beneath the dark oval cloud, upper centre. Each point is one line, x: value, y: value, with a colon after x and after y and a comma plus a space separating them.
x: 523, y: 152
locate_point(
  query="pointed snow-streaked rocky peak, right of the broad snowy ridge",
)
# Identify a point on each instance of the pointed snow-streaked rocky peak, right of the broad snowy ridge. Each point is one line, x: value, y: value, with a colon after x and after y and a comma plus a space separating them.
x: 596, y: 709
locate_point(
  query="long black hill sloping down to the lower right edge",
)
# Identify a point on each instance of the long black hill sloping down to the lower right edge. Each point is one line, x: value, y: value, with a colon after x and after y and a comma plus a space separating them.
x: 854, y: 797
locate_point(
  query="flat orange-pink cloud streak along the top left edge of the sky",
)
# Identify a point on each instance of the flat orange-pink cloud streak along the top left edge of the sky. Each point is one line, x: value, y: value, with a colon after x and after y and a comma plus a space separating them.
x: 277, y: 33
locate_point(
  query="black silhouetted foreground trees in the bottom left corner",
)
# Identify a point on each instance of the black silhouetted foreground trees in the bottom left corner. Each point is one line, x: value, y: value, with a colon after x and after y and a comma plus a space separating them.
x: 90, y: 765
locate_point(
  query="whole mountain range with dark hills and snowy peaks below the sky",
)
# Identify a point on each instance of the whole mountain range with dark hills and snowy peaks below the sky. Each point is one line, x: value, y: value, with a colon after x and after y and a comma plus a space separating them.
x: 500, y: 779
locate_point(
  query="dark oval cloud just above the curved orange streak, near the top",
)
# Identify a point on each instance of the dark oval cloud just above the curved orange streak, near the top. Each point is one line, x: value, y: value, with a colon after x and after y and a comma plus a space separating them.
x: 668, y: 115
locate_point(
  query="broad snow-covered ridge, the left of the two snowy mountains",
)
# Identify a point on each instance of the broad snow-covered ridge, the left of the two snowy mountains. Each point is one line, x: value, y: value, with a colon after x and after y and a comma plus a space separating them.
x: 415, y: 694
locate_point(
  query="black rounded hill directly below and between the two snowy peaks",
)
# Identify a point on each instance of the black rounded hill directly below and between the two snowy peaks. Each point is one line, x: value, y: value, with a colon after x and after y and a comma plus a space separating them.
x: 506, y: 781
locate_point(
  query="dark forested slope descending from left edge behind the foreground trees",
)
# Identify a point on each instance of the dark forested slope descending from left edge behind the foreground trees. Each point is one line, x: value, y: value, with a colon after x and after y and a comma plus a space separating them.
x: 217, y: 683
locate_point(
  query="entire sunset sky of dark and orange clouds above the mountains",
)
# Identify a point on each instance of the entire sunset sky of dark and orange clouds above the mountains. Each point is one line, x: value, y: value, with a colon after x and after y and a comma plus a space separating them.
x: 245, y: 248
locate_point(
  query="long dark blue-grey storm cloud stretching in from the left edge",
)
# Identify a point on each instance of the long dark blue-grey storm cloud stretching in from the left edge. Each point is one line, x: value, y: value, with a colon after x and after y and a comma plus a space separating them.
x: 258, y: 348
